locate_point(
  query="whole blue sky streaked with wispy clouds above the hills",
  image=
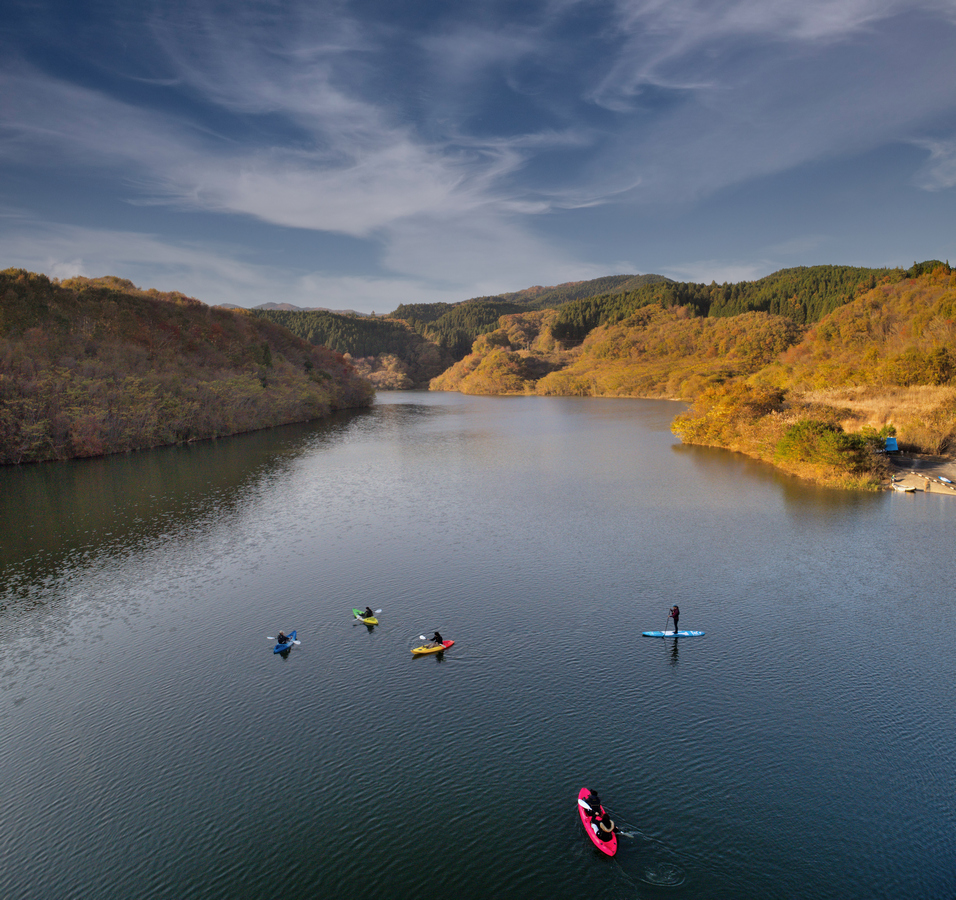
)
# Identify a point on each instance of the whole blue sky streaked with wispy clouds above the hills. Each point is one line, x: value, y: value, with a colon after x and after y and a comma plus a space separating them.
x: 358, y: 155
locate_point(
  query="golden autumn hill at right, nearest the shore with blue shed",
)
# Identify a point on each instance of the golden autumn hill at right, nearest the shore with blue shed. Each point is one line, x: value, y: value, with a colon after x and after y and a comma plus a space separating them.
x: 882, y: 365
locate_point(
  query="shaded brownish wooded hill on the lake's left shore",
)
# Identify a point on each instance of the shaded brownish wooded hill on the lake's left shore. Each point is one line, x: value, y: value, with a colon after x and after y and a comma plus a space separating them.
x: 96, y: 366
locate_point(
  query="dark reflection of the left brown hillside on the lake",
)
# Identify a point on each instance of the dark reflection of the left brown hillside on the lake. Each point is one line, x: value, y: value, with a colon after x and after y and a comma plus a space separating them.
x: 56, y: 514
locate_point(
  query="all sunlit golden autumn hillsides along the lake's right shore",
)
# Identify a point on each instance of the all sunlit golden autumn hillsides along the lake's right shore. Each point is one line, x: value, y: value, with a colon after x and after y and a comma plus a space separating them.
x: 817, y: 400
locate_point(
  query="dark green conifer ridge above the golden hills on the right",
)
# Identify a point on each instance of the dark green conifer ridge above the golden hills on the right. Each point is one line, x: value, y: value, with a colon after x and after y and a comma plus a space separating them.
x: 803, y: 295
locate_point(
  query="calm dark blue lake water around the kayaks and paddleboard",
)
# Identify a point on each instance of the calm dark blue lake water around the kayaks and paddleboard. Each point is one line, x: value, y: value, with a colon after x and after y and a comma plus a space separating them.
x: 153, y: 746
